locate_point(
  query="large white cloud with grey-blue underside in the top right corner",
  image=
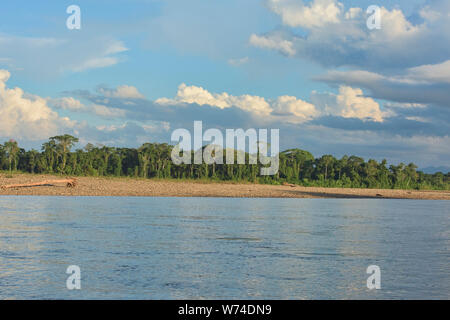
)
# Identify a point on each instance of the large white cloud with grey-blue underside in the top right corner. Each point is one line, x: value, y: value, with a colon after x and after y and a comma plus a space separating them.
x: 334, y: 36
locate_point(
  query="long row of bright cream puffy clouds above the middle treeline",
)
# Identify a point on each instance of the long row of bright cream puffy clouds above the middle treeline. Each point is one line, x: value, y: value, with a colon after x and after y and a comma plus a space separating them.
x: 349, y: 103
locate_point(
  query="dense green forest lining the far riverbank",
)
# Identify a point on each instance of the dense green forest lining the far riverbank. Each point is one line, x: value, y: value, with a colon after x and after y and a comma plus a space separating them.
x: 153, y: 160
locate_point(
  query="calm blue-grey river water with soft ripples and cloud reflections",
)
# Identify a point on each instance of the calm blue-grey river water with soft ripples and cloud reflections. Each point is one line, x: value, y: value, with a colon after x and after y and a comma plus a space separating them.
x: 165, y: 248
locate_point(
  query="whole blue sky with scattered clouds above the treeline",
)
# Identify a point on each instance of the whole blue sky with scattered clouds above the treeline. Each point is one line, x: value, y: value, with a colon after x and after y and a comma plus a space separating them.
x: 137, y: 70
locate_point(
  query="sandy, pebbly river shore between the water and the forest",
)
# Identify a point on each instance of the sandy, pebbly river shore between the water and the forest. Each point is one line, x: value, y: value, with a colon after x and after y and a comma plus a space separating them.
x: 89, y: 186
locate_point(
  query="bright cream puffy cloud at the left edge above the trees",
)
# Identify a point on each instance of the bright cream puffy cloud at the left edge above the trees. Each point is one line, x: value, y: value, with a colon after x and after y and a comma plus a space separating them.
x: 25, y: 116
